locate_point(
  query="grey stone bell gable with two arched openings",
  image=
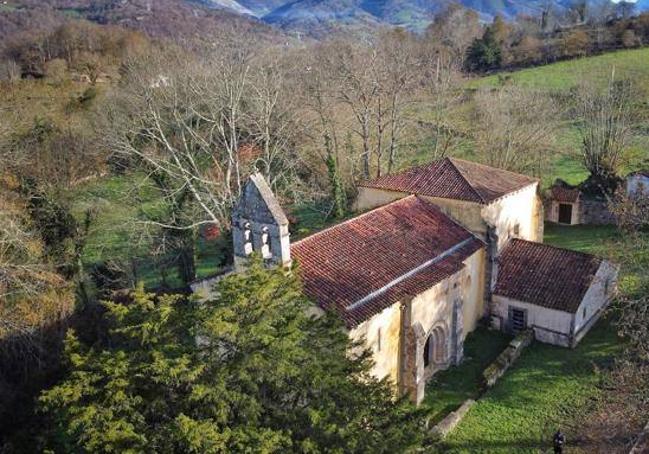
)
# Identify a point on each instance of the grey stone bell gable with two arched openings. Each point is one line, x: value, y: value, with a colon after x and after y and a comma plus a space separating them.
x: 259, y: 225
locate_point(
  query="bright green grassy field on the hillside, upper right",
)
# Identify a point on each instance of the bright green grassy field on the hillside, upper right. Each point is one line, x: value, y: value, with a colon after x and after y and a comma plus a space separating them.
x: 629, y: 64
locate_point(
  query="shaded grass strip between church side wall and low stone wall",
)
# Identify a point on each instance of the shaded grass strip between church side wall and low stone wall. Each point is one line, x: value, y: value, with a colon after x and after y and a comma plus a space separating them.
x: 448, y: 389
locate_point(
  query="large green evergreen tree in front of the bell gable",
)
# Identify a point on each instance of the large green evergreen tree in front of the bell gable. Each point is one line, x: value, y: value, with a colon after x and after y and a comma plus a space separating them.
x: 249, y: 371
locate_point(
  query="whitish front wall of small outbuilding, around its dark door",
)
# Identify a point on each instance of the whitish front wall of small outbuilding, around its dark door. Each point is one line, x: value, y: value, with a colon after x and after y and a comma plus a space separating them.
x: 550, y: 326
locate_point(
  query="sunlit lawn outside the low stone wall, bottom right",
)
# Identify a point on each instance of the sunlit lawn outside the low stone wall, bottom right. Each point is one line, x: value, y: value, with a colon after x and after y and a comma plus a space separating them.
x: 546, y: 387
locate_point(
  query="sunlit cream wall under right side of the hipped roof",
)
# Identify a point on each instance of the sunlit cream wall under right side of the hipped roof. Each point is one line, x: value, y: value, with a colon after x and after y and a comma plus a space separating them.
x: 522, y: 208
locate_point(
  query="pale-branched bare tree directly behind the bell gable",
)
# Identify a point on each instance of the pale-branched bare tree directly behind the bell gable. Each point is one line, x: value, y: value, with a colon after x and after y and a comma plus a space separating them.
x: 199, y: 125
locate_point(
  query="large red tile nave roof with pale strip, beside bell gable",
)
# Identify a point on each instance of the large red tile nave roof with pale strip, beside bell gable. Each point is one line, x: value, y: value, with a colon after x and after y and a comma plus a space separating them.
x: 364, y: 265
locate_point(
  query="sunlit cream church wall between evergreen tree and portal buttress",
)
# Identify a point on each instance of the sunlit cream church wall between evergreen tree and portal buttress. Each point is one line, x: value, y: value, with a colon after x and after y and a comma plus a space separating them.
x: 385, y: 325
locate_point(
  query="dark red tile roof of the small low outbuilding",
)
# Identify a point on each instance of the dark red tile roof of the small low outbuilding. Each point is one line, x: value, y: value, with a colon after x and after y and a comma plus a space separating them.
x: 545, y: 275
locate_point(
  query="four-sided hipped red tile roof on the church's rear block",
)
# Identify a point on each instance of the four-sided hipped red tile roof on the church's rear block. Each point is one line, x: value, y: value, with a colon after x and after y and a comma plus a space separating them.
x: 452, y: 178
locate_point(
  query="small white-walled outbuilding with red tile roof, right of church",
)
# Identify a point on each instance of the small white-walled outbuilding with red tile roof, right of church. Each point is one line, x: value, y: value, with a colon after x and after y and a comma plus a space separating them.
x: 558, y: 293
